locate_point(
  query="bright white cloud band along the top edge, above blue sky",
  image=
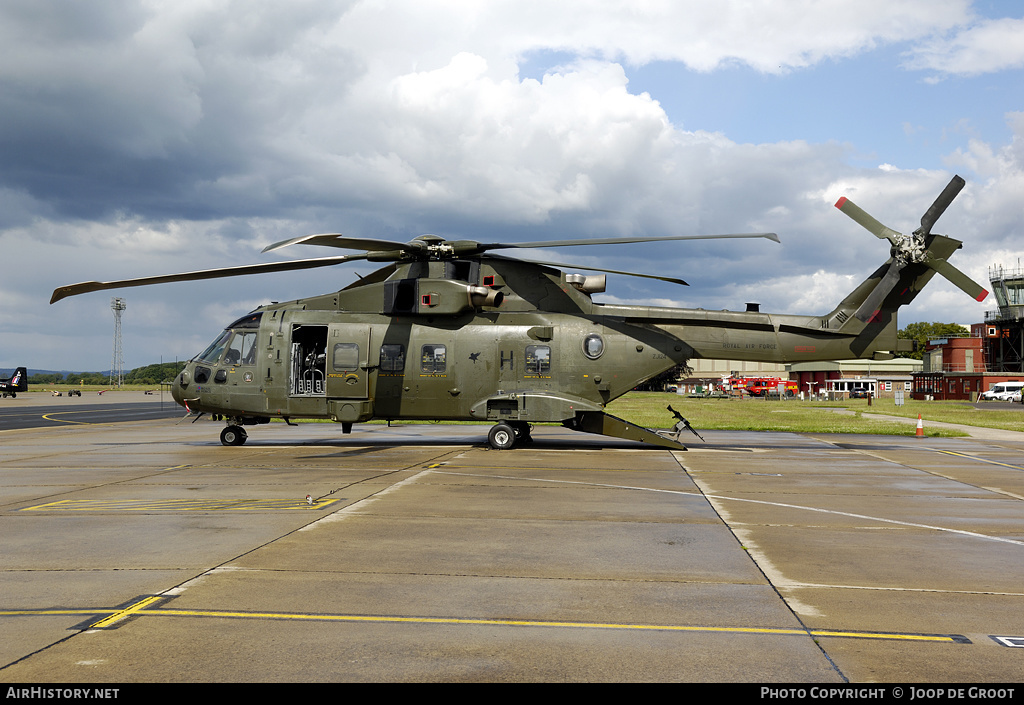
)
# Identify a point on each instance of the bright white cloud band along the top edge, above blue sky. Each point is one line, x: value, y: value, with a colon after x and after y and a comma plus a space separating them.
x: 769, y: 36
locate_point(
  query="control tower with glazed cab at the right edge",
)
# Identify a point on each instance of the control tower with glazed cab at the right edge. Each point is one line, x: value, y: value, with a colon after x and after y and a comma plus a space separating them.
x: 1005, y: 328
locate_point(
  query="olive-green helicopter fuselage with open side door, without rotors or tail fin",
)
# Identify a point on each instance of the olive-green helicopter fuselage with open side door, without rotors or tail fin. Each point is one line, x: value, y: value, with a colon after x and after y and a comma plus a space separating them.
x: 421, y: 342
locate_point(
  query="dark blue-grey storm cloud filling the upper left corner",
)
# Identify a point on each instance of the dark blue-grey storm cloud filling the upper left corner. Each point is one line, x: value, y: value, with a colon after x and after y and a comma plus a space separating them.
x: 108, y: 108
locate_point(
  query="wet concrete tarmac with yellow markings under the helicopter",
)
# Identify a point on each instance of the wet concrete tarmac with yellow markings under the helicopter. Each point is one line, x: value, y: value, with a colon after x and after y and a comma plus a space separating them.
x: 146, y: 552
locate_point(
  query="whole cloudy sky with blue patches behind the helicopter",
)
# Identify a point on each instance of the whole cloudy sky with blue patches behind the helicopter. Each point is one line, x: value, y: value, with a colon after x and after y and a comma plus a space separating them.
x: 143, y: 138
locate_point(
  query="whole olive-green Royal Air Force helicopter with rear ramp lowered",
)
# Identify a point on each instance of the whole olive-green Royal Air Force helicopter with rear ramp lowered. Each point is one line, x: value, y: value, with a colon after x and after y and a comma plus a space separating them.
x: 453, y: 330
